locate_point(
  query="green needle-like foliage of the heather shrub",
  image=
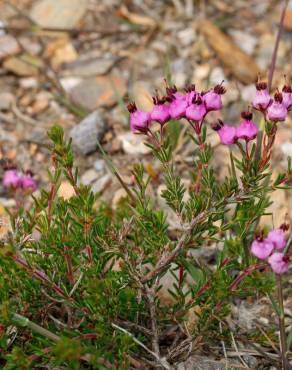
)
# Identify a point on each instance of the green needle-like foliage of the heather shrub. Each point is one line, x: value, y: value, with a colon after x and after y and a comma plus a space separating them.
x: 73, y: 271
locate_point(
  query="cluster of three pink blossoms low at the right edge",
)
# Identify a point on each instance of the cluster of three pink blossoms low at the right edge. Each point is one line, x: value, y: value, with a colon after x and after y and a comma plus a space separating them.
x: 271, y: 249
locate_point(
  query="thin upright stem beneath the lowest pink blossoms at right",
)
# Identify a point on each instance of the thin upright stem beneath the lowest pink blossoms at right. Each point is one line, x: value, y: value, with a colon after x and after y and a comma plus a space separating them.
x: 281, y: 318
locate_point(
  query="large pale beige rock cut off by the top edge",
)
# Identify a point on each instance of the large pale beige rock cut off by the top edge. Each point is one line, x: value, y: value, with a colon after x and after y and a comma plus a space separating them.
x: 58, y: 14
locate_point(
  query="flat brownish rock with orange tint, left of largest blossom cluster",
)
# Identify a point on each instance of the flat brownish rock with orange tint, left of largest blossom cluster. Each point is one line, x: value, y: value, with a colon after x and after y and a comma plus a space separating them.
x: 92, y: 93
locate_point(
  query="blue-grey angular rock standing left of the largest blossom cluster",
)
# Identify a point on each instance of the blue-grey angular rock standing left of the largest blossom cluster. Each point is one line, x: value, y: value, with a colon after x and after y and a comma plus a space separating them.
x: 87, y: 132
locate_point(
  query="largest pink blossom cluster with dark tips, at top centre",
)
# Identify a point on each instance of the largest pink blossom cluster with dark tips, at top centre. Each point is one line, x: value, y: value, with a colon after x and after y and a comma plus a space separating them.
x: 191, y: 104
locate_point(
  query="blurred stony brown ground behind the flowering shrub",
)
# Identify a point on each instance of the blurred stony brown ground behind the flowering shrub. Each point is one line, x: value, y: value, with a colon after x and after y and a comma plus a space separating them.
x: 74, y: 61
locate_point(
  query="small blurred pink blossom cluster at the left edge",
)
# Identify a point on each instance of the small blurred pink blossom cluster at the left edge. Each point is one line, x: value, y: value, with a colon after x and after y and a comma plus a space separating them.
x: 14, y: 180
